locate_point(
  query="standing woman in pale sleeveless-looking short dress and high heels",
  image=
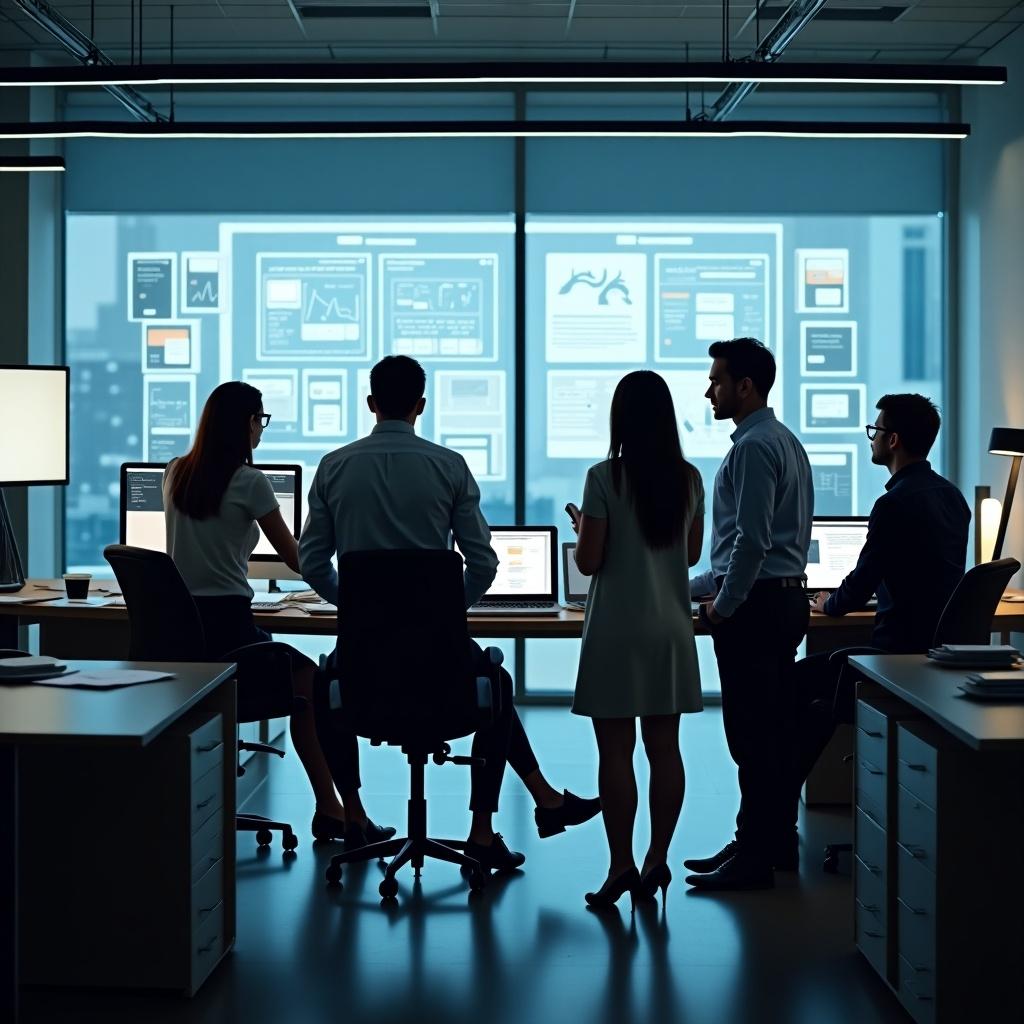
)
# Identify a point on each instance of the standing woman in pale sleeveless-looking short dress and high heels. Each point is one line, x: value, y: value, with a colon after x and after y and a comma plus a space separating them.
x: 641, y: 531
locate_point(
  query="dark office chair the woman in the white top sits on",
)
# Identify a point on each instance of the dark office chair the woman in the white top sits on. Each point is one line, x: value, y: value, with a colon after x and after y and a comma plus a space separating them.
x: 165, y: 626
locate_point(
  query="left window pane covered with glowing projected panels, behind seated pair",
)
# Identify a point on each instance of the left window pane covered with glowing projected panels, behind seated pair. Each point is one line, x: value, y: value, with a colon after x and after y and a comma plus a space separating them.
x: 160, y: 310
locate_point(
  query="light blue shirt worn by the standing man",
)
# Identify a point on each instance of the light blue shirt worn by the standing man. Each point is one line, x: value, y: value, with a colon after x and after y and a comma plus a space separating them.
x: 762, y: 510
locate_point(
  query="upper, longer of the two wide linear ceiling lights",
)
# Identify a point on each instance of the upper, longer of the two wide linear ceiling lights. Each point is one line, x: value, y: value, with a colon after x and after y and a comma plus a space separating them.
x: 508, y: 74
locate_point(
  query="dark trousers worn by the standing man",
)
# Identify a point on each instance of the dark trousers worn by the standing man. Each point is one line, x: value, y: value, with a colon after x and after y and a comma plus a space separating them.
x: 756, y: 650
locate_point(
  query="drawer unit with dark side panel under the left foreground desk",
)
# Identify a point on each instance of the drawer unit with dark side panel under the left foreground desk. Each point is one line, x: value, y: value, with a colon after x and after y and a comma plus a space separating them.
x: 155, y: 908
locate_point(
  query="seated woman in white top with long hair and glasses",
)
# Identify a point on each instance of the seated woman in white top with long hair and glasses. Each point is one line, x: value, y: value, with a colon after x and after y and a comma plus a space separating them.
x: 214, y: 501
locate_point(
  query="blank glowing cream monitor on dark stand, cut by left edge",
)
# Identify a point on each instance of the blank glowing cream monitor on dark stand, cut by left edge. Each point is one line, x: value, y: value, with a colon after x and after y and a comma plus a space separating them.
x: 34, y: 407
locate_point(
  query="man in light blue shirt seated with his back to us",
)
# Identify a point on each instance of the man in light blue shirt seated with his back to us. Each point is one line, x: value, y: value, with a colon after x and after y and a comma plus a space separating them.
x: 397, y: 491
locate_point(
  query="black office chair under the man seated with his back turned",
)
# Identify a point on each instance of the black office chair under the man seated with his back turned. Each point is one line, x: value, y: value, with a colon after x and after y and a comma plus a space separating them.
x: 407, y: 676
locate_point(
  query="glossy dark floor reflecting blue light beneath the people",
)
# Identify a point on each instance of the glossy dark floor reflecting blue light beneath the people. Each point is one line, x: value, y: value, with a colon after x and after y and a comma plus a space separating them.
x: 527, y: 952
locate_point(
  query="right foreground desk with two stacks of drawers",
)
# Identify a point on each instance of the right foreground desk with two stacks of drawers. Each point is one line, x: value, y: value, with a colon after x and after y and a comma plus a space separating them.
x: 940, y: 830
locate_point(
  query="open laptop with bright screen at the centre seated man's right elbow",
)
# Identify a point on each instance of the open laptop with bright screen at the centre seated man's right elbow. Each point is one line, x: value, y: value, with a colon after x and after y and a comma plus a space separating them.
x: 528, y: 574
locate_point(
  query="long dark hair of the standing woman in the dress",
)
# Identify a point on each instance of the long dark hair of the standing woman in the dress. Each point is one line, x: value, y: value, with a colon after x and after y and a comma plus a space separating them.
x: 646, y: 447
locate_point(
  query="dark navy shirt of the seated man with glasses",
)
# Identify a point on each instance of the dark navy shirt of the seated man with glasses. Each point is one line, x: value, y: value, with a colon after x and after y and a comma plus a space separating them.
x: 915, y: 556
